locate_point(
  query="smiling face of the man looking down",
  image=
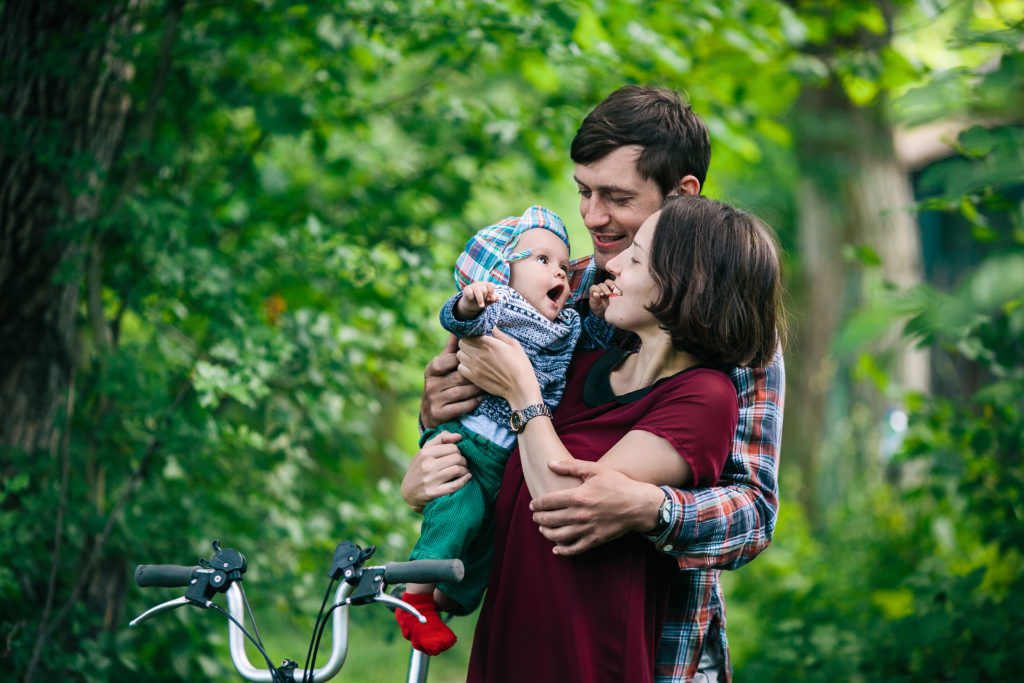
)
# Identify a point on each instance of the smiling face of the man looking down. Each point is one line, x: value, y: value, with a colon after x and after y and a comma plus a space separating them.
x: 615, y: 201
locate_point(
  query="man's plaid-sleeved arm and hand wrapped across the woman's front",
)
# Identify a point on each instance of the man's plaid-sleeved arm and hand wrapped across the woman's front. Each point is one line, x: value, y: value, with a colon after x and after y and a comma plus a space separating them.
x: 721, y: 527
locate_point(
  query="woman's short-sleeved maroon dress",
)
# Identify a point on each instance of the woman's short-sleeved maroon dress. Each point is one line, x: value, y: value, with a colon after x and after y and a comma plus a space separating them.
x: 596, y: 617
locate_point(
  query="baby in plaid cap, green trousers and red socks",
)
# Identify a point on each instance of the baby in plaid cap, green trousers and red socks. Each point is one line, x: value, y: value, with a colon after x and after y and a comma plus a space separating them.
x: 515, y: 276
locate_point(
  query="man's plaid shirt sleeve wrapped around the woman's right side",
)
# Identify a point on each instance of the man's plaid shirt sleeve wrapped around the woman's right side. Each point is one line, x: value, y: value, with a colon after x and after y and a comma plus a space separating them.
x: 727, y: 526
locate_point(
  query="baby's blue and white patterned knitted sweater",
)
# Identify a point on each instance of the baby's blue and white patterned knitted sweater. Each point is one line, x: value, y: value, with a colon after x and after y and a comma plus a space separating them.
x: 548, y: 344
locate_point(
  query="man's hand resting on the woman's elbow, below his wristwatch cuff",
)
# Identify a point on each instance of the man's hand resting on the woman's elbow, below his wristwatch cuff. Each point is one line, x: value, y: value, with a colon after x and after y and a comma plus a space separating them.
x: 605, y: 507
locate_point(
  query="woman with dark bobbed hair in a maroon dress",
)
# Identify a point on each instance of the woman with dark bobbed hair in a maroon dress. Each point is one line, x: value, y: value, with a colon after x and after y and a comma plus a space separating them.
x: 700, y: 287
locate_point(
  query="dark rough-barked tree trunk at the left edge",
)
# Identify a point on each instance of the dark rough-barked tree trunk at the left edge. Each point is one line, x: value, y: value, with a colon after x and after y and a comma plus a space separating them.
x: 65, y: 109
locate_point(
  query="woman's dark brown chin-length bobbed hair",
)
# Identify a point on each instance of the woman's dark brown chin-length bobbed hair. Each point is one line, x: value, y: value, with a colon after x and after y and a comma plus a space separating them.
x: 719, y: 273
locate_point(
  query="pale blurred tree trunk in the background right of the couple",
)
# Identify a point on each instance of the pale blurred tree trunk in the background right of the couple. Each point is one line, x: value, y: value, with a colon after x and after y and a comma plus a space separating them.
x: 852, y: 193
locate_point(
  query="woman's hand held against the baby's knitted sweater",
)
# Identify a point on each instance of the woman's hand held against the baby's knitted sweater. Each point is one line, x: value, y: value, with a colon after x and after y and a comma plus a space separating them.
x: 499, y: 366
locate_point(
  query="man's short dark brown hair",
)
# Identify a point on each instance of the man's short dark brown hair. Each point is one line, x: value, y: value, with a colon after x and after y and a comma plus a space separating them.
x: 674, y: 139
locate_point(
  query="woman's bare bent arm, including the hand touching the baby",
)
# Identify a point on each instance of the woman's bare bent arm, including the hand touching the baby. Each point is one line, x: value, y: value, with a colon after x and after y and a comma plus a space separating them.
x: 499, y: 366
